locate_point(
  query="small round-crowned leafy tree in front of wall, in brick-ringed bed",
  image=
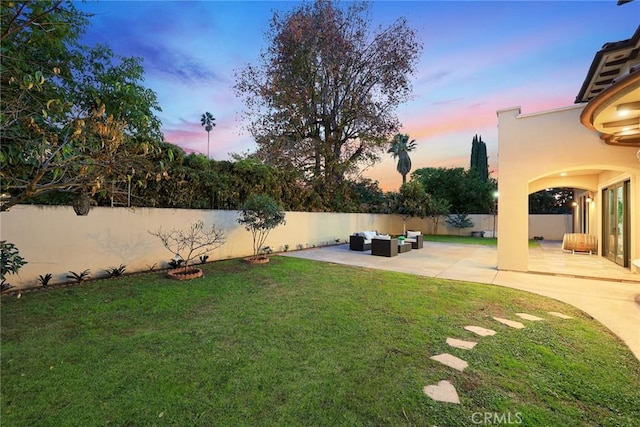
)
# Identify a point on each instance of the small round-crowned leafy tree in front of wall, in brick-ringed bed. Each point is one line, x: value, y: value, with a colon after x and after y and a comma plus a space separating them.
x: 259, y: 215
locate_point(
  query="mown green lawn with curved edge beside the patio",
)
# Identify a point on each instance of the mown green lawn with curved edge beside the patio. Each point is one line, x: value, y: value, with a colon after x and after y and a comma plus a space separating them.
x: 297, y: 342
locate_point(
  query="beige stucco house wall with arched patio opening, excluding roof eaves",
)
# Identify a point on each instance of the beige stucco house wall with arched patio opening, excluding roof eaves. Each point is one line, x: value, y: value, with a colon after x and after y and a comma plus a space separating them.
x: 533, y: 150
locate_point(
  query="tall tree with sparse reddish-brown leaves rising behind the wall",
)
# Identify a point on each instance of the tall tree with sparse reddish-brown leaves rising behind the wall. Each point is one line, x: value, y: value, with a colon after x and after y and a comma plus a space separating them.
x: 323, y: 96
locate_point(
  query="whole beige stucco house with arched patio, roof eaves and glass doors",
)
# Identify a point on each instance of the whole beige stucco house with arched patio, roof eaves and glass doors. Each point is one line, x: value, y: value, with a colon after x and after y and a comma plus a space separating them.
x: 592, y: 146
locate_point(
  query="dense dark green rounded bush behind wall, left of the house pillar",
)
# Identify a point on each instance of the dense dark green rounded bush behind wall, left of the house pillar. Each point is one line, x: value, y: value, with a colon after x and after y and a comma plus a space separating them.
x: 464, y: 190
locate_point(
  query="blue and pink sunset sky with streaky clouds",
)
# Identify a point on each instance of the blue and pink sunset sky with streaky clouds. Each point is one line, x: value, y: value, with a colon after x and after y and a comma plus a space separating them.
x: 478, y: 57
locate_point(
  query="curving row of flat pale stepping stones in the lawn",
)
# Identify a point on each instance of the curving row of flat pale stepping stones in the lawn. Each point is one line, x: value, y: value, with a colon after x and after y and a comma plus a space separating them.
x: 445, y: 391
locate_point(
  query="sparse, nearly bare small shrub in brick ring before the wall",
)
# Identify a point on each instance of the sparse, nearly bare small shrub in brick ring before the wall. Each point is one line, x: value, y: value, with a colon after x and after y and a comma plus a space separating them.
x: 190, y: 244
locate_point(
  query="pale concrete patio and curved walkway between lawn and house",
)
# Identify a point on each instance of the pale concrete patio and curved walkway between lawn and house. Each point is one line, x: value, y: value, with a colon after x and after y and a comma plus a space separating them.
x: 591, y: 283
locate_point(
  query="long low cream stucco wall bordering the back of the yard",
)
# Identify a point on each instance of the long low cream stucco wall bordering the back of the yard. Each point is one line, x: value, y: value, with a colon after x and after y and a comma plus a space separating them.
x: 54, y: 240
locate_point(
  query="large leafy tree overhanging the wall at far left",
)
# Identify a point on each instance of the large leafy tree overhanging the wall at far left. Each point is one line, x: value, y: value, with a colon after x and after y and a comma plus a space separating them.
x: 72, y: 118
